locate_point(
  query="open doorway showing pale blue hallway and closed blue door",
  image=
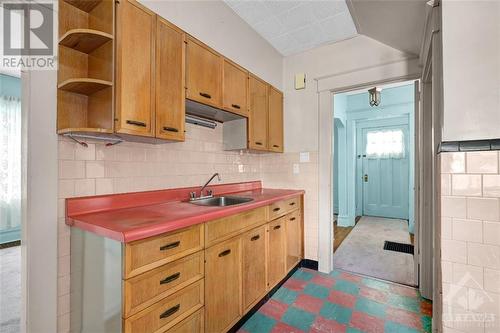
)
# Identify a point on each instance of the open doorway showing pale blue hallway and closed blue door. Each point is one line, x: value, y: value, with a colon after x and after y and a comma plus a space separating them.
x: 373, y: 177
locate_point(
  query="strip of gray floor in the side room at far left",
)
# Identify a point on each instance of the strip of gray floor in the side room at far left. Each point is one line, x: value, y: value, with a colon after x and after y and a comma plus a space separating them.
x: 10, y: 289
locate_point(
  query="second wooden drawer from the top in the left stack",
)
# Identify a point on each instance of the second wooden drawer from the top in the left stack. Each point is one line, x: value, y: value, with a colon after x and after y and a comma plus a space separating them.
x: 144, y: 290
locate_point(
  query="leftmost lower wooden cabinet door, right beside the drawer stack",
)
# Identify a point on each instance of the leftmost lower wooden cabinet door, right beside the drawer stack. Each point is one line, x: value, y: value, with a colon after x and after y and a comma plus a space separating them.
x: 222, y: 285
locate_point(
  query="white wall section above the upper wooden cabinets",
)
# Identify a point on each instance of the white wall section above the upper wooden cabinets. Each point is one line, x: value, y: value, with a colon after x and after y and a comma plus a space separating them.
x: 215, y: 24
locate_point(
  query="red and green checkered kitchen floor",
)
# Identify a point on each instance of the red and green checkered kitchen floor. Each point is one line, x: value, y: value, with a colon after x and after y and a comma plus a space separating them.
x: 341, y: 302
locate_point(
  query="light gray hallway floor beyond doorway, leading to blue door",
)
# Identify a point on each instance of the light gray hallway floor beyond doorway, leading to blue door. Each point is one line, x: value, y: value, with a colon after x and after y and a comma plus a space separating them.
x: 363, y: 250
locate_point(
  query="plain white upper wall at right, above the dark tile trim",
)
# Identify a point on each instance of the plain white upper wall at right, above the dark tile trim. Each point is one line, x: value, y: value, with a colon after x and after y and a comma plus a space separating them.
x: 471, y: 69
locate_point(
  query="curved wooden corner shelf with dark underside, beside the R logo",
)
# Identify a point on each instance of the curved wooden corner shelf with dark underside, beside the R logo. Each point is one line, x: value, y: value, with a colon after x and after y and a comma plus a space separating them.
x: 84, y: 40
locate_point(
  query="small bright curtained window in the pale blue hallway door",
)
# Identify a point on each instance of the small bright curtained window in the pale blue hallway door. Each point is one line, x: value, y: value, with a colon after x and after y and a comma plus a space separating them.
x: 385, y: 144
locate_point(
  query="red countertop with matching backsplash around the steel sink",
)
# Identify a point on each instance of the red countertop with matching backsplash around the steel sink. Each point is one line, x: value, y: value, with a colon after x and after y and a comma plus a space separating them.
x: 134, y: 216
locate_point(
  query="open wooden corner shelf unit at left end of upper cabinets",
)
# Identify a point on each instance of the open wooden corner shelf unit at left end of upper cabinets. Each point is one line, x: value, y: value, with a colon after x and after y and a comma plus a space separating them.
x: 86, y: 76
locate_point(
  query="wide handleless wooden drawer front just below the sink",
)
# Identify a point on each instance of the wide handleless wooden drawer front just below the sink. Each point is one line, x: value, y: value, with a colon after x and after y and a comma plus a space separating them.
x: 226, y: 227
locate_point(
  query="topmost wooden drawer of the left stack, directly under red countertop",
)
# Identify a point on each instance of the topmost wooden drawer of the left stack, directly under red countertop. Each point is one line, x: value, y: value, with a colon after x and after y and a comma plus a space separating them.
x: 153, y: 252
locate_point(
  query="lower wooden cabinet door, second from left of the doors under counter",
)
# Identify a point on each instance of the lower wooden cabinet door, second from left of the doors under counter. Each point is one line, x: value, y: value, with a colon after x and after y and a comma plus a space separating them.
x: 254, y: 266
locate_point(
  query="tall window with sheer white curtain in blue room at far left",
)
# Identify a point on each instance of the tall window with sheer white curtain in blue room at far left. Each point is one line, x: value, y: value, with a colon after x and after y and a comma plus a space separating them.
x: 10, y: 159
